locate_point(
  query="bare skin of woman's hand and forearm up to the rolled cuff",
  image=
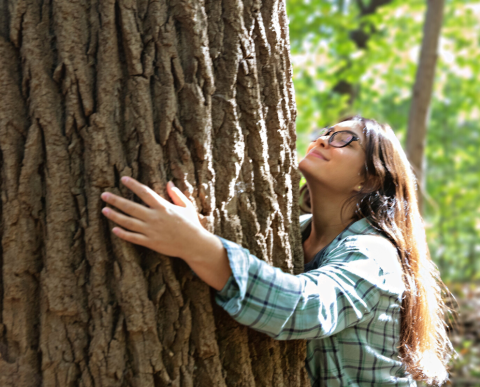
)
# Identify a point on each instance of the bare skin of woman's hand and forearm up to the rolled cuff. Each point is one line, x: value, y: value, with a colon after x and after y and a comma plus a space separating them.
x: 170, y: 229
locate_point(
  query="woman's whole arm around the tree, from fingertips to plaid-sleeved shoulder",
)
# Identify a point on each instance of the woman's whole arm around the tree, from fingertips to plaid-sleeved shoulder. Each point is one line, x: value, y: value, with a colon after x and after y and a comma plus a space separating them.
x: 286, y: 307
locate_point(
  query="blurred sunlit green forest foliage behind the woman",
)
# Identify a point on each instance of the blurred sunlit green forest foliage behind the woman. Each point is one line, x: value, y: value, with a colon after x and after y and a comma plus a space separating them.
x: 361, y: 57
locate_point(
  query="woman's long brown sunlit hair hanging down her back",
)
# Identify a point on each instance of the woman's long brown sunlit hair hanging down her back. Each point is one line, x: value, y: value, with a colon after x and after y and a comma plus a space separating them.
x: 388, y: 201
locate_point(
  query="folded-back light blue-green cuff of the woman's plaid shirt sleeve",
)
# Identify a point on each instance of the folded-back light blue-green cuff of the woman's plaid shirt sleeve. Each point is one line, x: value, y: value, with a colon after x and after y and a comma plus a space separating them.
x: 233, y: 293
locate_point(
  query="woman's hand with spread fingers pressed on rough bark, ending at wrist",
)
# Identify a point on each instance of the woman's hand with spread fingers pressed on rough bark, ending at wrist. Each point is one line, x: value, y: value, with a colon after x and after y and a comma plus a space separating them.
x: 170, y: 229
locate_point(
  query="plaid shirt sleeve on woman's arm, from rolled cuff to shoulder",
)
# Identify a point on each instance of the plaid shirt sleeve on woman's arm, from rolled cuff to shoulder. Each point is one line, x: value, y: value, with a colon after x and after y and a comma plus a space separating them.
x: 311, y: 305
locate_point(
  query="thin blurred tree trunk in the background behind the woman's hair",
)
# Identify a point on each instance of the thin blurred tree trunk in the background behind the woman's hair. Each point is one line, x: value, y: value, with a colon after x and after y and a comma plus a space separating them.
x: 422, y: 93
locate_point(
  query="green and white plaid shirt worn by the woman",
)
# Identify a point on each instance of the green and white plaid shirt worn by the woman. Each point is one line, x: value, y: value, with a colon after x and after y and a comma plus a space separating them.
x: 347, y: 305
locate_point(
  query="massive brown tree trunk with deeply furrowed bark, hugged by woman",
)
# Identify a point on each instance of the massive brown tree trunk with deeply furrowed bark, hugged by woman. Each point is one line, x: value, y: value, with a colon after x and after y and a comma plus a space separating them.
x: 191, y: 91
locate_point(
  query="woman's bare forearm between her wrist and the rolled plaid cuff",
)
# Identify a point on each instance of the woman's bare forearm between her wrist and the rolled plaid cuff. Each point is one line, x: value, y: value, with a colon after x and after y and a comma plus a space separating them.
x: 209, y: 260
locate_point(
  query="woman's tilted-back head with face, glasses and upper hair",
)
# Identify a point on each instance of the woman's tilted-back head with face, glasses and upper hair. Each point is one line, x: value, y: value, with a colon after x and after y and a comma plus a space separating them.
x: 369, y: 171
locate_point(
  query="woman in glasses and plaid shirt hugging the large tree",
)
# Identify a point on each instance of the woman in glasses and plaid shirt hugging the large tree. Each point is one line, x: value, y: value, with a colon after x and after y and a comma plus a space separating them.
x: 369, y: 301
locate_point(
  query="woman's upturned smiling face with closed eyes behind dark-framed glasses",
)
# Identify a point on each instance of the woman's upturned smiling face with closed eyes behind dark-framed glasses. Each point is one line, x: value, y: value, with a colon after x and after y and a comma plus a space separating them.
x: 338, y: 169
